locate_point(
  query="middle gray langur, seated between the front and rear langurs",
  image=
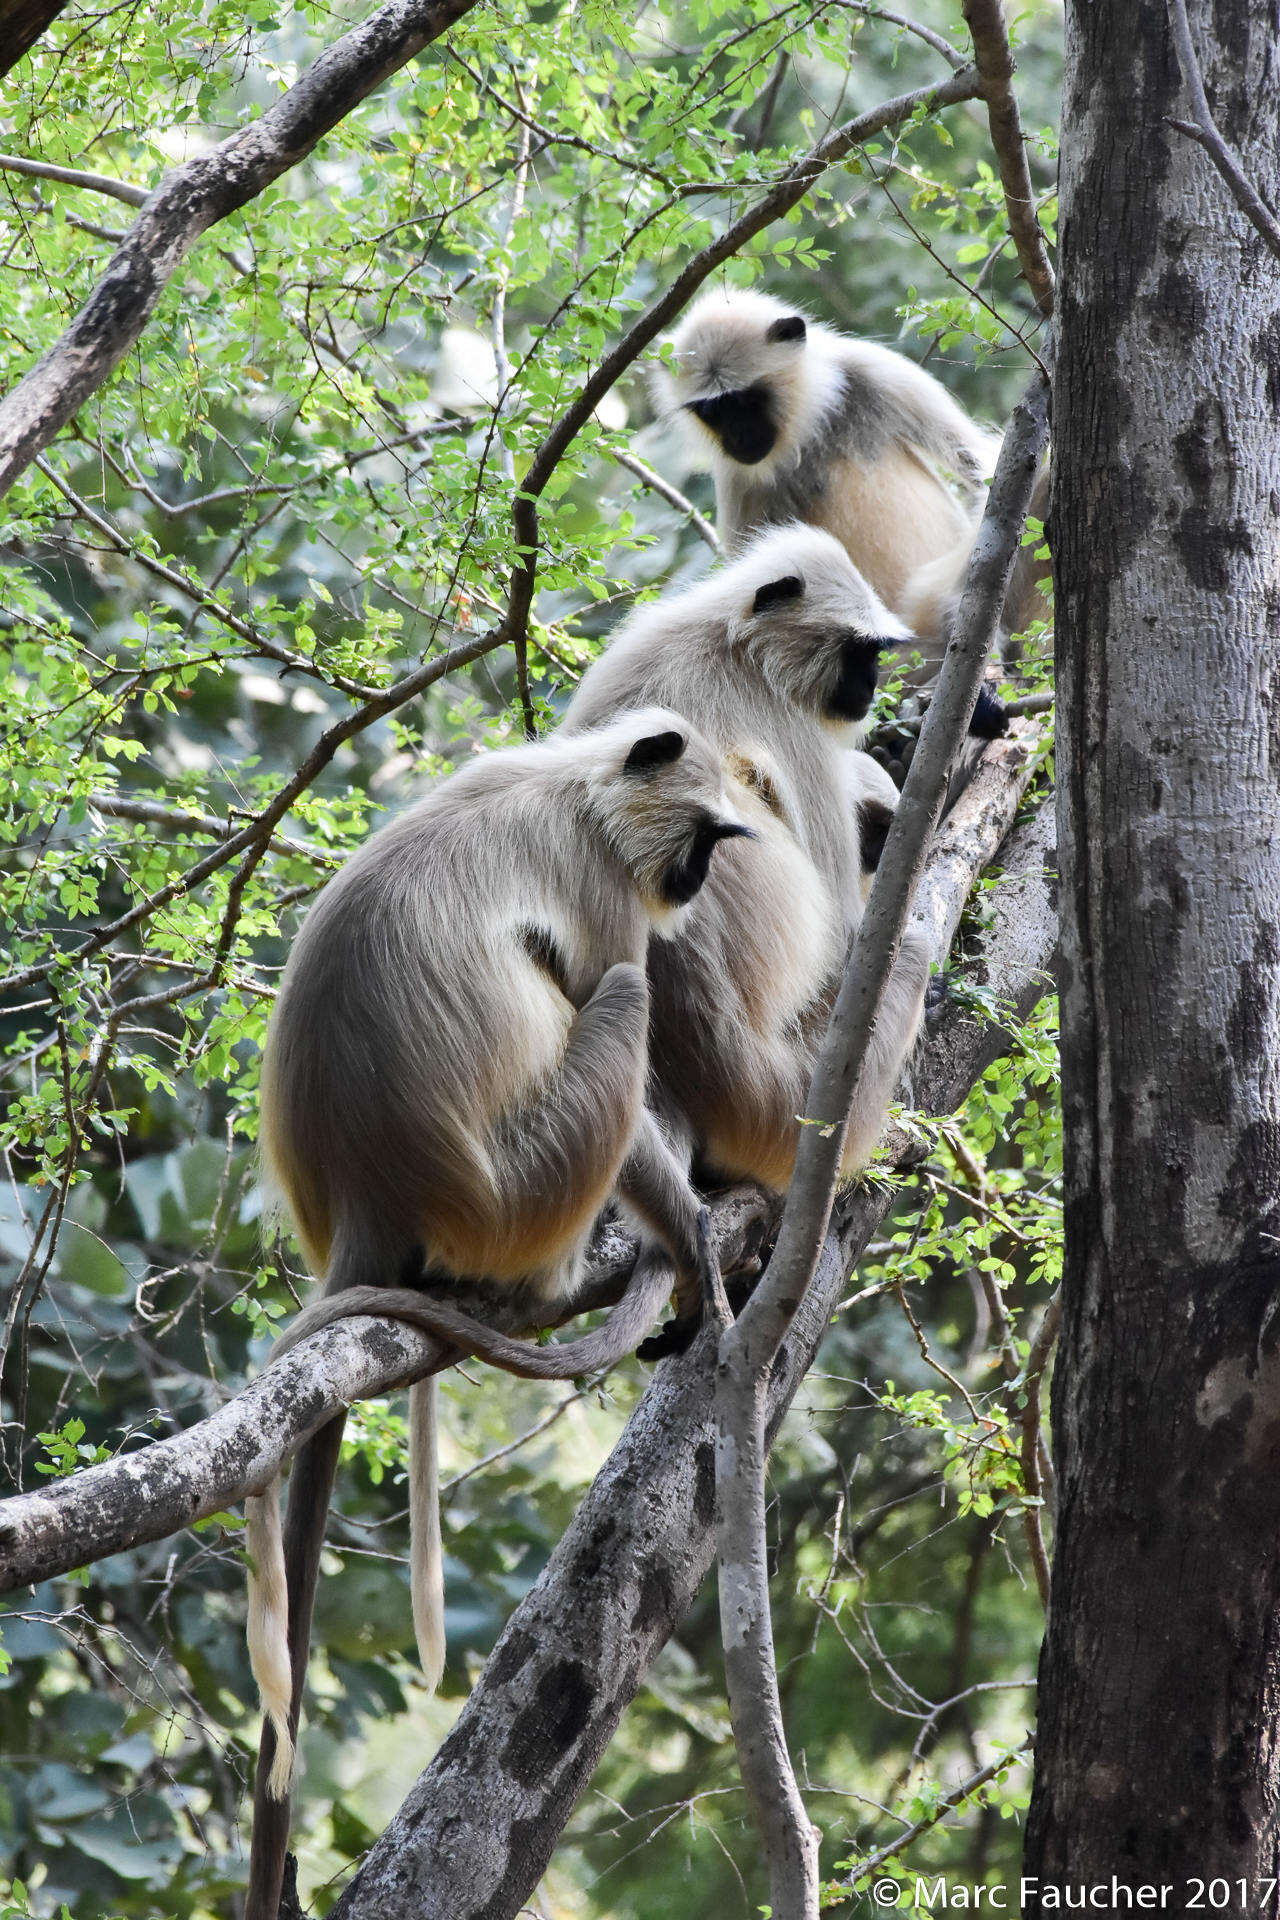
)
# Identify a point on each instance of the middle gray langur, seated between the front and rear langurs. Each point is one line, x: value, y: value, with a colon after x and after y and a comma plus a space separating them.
x: 778, y: 658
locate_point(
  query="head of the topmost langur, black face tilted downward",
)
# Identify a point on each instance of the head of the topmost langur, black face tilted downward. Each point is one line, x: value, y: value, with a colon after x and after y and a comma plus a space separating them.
x: 751, y: 379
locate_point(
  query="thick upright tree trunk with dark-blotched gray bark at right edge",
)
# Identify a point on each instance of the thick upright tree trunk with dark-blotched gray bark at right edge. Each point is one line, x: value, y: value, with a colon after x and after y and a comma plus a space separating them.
x: 1162, y: 1666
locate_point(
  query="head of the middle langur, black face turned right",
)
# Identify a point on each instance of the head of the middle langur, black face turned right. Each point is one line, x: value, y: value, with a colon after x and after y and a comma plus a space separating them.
x: 811, y: 625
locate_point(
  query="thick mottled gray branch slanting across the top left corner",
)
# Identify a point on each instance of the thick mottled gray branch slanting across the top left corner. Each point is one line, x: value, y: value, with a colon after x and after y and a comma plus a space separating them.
x: 195, y: 199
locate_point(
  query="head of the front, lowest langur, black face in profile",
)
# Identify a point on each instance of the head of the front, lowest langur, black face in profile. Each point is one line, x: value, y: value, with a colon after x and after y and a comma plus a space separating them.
x: 659, y: 790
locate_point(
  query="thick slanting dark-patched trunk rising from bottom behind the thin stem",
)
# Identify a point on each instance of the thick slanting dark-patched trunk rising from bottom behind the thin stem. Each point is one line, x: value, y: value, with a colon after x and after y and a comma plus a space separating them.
x: 479, y: 1829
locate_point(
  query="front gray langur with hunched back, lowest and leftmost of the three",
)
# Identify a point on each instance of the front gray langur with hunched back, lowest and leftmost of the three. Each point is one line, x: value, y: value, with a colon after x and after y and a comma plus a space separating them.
x: 454, y: 1086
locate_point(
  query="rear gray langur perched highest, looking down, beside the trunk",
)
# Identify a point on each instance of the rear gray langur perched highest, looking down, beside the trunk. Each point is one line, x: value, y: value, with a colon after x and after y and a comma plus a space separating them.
x: 799, y: 421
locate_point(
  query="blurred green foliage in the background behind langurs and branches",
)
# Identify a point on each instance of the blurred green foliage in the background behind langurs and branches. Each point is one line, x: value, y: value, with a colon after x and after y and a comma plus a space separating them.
x: 296, y: 489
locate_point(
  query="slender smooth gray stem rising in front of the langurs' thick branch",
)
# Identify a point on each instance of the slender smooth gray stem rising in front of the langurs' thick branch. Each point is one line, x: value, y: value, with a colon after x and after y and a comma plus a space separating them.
x: 751, y: 1345
